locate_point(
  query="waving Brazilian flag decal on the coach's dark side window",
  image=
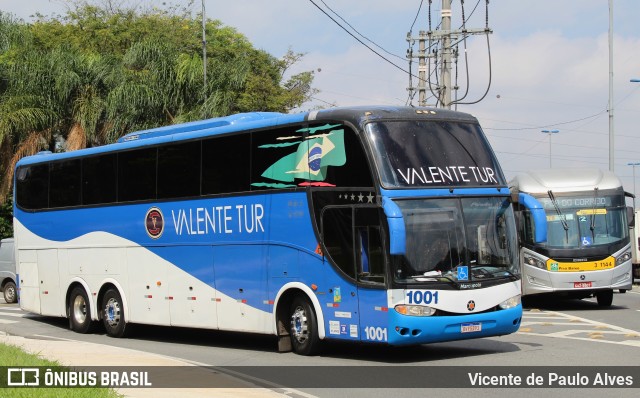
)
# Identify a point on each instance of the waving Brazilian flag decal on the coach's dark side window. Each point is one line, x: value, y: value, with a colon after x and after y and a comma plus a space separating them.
x: 311, y: 159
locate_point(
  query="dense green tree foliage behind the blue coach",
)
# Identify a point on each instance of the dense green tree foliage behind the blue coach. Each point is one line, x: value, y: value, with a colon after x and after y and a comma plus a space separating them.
x: 102, y: 70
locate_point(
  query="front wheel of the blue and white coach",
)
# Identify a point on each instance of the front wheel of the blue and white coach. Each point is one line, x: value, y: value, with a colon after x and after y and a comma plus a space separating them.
x: 304, y: 329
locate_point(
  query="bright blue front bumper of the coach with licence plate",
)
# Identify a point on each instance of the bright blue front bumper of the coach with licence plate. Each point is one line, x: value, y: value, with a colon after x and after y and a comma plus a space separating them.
x: 412, y: 330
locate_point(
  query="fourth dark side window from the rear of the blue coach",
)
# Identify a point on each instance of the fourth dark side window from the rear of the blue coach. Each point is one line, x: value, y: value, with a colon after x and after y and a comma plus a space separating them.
x: 137, y: 175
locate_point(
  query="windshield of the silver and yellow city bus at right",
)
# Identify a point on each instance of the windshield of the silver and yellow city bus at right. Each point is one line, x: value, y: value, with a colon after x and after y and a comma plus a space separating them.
x: 584, y: 219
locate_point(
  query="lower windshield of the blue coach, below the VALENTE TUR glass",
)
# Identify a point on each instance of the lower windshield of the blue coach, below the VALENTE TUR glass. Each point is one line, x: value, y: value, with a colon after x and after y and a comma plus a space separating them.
x: 460, y: 240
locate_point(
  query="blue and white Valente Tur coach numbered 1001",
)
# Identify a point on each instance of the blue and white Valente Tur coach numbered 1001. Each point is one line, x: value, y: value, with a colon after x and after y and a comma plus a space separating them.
x: 390, y: 225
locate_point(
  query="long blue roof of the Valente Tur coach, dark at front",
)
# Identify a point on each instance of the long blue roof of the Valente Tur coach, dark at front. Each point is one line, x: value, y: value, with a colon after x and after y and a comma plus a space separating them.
x: 250, y: 121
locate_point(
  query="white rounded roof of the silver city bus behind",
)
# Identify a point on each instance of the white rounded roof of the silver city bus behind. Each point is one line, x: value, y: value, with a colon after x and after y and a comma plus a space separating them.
x: 564, y: 180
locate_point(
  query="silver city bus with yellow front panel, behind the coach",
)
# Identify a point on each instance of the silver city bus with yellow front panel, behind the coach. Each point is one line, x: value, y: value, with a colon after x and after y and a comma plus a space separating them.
x: 587, y: 252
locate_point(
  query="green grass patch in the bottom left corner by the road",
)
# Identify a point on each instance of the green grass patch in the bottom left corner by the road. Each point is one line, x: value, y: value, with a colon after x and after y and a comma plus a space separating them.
x: 11, y: 356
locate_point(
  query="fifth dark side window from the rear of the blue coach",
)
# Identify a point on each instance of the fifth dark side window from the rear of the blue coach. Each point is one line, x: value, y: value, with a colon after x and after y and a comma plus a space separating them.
x: 179, y: 170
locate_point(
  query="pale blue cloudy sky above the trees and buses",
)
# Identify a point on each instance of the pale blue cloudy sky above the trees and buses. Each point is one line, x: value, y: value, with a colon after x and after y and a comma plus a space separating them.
x: 549, y: 67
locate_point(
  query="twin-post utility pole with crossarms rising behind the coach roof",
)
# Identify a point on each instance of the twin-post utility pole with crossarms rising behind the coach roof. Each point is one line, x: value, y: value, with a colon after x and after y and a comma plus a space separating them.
x: 442, y: 50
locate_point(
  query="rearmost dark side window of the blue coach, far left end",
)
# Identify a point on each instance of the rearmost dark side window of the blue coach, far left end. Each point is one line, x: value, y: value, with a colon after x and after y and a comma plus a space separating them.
x: 33, y: 186
